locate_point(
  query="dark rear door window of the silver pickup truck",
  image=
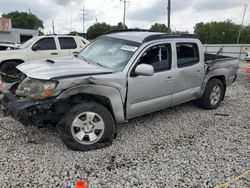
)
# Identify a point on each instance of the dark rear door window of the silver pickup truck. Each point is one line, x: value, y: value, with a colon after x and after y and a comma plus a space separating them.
x: 187, y: 54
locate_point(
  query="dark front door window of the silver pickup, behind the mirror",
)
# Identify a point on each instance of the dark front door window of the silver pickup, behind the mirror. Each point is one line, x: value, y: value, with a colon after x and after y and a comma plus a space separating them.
x: 159, y: 57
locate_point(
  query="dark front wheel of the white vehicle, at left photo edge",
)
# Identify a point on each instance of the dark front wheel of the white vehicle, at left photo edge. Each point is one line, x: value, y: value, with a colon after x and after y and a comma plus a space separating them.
x: 10, y: 71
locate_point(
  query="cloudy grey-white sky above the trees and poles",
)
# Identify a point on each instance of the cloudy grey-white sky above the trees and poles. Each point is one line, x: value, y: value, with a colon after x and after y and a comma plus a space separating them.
x: 140, y: 13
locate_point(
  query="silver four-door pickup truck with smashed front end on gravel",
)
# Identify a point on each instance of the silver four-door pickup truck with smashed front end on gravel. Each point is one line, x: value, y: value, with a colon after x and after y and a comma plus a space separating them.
x: 119, y: 76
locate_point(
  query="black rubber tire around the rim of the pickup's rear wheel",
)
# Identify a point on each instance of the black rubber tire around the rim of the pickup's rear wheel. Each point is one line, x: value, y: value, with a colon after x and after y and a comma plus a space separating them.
x: 205, y: 101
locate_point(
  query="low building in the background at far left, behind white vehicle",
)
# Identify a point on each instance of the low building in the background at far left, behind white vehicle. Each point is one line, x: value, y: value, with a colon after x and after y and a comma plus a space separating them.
x: 18, y: 35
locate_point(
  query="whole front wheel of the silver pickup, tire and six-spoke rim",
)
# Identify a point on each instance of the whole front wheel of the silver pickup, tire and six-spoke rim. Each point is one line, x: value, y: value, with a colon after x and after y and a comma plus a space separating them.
x: 87, y: 126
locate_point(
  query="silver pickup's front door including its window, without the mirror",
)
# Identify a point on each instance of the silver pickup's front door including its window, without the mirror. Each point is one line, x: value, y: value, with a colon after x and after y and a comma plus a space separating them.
x: 151, y: 93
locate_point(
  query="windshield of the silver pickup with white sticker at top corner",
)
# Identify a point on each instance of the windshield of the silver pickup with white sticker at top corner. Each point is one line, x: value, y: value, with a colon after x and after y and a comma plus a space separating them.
x: 110, y: 52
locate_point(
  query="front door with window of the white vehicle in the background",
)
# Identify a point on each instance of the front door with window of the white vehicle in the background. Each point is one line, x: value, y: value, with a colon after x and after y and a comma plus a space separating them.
x: 47, y: 49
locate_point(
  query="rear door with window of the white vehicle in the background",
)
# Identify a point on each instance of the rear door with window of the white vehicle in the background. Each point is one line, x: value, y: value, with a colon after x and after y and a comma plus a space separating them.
x: 68, y: 46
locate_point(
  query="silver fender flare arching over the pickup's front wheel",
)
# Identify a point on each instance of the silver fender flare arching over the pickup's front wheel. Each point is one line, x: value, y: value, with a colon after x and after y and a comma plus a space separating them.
x: 106, y: 91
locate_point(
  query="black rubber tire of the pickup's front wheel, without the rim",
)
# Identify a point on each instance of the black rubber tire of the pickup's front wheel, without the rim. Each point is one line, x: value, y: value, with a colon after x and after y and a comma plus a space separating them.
x: 64, y: 127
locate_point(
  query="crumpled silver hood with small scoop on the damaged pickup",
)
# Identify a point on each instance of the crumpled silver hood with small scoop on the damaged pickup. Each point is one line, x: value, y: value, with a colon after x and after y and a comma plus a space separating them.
x: 60, y: 68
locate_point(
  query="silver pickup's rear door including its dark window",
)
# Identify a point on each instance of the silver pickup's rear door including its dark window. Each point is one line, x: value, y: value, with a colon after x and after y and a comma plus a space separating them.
x: 189, y: 72
